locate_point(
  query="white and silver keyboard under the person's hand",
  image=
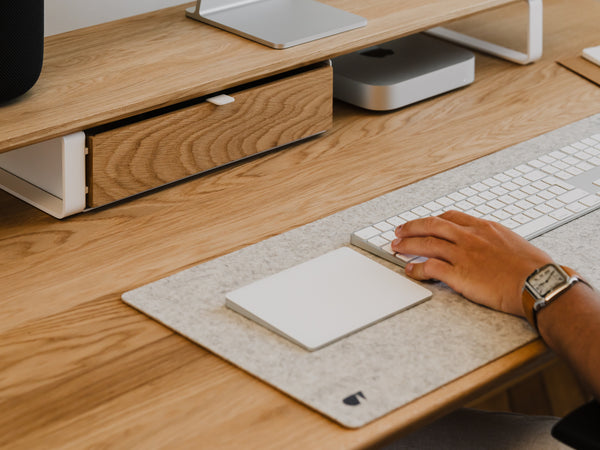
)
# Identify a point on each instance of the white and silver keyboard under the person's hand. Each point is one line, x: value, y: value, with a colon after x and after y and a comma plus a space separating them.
x: 530, y: 199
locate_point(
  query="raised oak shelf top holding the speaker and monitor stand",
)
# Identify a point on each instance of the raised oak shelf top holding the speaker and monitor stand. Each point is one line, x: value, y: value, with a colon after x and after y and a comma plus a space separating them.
x: 115, y: 70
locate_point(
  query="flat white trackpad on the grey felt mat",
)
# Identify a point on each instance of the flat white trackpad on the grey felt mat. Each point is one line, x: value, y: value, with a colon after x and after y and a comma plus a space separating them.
x: 326, y: 298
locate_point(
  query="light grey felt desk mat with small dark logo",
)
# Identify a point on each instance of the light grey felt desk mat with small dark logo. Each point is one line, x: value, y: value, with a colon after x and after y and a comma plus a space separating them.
x: 390, y: 363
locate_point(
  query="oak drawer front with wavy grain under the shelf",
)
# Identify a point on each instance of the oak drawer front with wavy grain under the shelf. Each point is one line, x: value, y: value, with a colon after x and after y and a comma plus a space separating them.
x: 152, y: 152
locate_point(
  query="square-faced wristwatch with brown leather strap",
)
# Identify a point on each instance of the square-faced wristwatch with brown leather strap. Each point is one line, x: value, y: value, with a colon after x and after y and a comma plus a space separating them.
x: 544, y: 286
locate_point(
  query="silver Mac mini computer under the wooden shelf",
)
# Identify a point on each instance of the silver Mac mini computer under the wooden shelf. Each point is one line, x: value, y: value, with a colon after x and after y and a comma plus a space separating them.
x: 401, y: 72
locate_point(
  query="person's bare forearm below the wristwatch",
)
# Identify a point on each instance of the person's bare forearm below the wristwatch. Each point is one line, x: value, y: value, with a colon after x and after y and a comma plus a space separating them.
x: 571, y: 327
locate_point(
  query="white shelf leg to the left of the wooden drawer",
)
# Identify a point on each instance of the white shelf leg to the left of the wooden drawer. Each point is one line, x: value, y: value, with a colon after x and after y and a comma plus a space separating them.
x: 49, y: 175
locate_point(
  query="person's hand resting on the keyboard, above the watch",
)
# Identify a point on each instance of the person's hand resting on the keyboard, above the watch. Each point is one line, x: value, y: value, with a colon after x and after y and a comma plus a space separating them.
x: 482, y: 260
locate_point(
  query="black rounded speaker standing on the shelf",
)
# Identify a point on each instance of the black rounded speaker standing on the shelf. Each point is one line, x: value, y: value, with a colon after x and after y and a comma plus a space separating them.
x: 21, y: 46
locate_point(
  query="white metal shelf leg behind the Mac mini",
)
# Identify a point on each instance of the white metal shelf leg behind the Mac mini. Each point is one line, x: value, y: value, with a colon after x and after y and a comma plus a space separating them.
x: 534, y: 38
